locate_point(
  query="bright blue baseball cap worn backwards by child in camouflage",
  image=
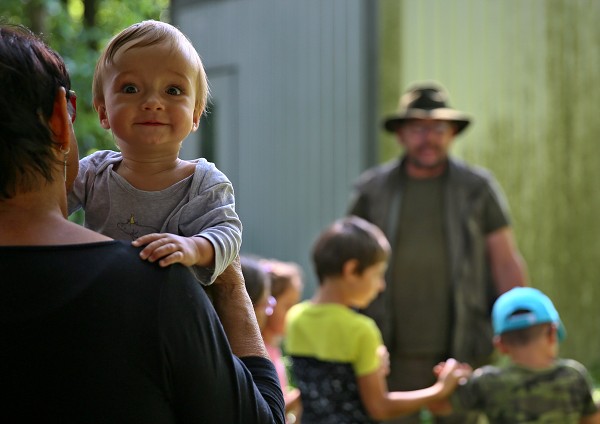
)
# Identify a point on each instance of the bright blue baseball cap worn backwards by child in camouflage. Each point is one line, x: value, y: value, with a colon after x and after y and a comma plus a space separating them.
x: 536, y: 306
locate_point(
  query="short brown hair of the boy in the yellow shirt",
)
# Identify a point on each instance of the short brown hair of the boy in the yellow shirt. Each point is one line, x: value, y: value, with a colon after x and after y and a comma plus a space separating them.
x: 346, y: 239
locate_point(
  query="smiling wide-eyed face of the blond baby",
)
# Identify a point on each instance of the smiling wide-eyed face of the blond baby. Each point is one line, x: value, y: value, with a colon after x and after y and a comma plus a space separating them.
x: 149, y: 96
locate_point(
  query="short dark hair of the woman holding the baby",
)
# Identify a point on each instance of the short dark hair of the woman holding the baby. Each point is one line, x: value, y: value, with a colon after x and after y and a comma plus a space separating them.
x: 30, y: 74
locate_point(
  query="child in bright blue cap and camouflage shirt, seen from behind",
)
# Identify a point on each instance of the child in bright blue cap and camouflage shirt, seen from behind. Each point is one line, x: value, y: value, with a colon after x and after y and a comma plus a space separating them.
x: 535, y: 386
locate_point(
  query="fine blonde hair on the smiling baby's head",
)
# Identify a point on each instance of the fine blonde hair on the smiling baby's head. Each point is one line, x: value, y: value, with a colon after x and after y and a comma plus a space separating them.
x: 148, y: 33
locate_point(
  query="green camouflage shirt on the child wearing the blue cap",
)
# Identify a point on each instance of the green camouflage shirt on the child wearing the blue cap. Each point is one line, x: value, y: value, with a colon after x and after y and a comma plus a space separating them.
x: 561, y: 394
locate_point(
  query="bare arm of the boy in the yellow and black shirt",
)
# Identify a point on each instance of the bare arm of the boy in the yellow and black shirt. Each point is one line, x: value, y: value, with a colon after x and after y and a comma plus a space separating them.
x: 383, y: 405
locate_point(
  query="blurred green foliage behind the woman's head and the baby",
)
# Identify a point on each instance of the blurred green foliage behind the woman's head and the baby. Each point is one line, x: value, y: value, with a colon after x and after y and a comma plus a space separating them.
x: 61, y: 24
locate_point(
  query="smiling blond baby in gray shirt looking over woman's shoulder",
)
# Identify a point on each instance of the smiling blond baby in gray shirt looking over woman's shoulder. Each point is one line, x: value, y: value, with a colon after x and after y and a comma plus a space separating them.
x: 150, y: 90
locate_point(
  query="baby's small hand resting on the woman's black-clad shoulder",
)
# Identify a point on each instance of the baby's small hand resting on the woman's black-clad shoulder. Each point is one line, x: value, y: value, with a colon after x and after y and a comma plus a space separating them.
x: 168, y: 249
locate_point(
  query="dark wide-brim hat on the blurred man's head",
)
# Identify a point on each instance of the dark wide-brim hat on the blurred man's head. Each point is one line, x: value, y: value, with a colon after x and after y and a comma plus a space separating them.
x: 426, y: 101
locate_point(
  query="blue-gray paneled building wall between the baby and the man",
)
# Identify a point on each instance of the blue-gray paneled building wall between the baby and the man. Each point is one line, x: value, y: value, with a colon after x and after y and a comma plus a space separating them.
x: 293, y: 103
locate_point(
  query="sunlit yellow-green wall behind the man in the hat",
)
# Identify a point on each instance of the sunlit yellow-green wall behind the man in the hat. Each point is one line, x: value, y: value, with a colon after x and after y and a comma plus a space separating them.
x: 527, y: 71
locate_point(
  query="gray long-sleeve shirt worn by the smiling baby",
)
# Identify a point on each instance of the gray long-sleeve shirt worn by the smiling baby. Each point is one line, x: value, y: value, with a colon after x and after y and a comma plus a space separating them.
x: 200, y: 205
